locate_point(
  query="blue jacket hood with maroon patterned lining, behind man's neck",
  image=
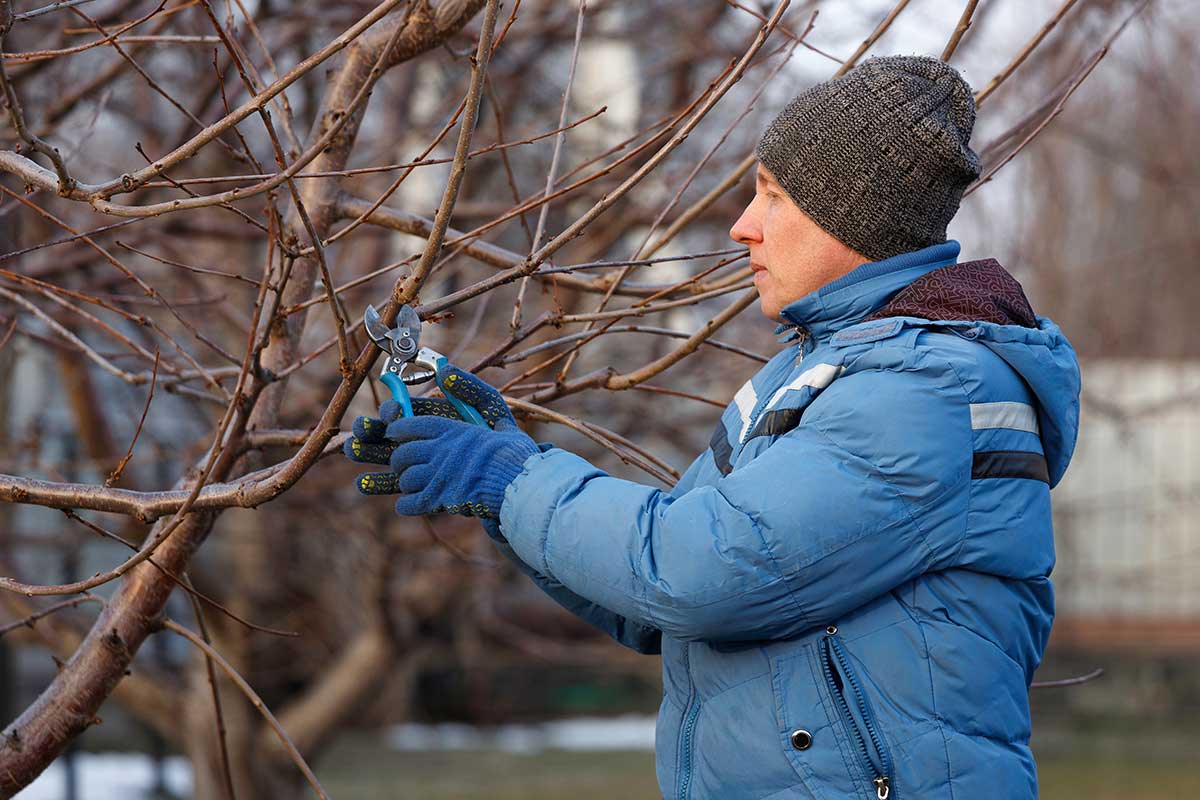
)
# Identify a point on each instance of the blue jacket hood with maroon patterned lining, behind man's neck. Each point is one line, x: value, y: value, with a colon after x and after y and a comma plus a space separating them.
x: 988, y: 305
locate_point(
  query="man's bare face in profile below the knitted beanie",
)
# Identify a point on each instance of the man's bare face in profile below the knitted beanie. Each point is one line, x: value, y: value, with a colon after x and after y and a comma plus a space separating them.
x: 791, y: 255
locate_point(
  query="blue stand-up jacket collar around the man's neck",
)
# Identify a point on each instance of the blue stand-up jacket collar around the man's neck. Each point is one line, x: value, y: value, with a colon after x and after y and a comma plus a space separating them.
x: 862, y: 292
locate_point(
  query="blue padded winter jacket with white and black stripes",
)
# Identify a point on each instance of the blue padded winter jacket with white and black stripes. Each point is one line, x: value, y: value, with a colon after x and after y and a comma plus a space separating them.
x: 850, y: 588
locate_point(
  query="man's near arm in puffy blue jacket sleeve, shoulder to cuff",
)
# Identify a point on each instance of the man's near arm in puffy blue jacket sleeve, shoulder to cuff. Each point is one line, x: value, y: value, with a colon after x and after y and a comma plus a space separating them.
x: 867, y: 494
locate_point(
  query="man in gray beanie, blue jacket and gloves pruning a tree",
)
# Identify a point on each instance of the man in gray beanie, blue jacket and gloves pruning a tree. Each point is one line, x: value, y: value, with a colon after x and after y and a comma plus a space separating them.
x: 850, y: 588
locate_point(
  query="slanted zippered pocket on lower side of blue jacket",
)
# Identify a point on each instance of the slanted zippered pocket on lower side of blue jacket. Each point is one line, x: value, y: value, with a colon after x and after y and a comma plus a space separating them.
x: 856, y: 715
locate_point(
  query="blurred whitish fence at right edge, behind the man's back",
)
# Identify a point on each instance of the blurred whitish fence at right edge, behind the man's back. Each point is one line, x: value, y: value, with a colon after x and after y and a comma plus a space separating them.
x: 1127, y: 515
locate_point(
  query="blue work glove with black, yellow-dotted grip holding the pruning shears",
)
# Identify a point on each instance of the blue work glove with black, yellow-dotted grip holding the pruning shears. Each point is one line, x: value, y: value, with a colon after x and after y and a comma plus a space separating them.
x: 439, y: 462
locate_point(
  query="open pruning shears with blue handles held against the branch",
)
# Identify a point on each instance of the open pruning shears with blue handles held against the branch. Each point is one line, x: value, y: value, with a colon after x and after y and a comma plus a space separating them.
x: 409, y: 364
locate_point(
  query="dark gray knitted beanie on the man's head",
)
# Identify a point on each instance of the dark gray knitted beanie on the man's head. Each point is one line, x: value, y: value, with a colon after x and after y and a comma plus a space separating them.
x: 879, y: 158
